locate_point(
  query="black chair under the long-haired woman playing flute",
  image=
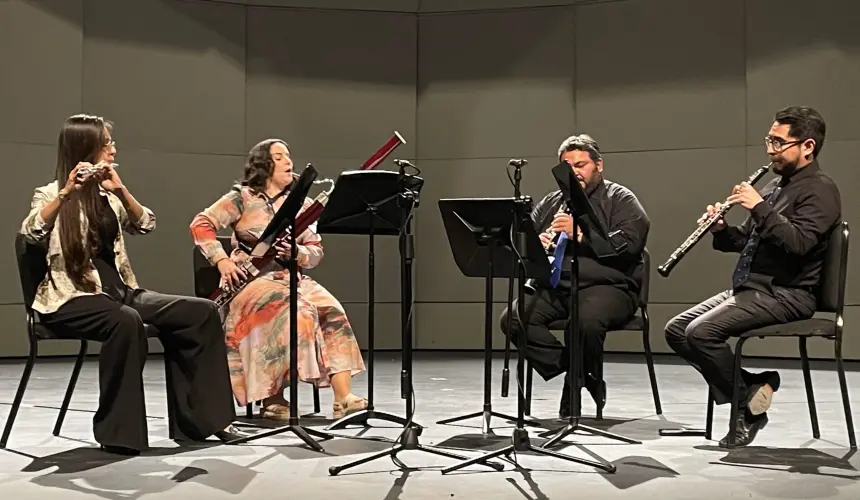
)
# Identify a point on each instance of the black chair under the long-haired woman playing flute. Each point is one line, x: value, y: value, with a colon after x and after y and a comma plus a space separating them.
x: 32, y: 268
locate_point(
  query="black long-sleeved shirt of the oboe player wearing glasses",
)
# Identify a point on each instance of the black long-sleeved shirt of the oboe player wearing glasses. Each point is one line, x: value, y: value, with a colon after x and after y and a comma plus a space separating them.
x: 794, y: 231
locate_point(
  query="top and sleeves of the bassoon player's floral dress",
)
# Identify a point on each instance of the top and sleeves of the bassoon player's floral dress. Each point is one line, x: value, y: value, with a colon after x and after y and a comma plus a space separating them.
x: 248, y: 213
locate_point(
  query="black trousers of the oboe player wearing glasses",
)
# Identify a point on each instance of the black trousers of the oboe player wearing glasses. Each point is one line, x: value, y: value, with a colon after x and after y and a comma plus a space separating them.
x: 700, y: 333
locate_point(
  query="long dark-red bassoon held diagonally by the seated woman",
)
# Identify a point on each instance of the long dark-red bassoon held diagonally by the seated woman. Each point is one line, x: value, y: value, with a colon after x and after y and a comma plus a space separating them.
x: 304, y: 220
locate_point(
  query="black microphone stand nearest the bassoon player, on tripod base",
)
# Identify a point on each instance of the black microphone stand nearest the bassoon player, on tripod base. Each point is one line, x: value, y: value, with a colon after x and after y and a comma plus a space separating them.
x: 409, y: 187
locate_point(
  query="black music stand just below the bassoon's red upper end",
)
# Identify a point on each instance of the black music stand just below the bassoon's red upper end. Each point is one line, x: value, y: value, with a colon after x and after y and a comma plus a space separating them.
x: 365, y: 202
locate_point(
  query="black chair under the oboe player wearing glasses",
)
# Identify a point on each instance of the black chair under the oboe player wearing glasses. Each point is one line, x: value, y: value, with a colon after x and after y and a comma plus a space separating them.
x: 831, y: 299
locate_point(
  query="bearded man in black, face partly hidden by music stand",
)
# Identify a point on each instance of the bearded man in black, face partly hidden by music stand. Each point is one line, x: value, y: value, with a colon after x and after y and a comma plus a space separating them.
x: 608, y: 287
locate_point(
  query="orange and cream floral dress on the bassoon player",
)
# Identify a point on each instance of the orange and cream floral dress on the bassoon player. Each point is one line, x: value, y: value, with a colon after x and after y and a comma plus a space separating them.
x: 258, y: 322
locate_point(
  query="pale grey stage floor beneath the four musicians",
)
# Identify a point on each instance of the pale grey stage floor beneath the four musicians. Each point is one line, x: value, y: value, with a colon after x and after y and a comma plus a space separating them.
x: 784, y: 462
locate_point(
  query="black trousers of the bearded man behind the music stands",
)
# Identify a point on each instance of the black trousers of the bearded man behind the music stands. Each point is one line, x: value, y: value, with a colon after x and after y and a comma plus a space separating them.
x: 601, y: 308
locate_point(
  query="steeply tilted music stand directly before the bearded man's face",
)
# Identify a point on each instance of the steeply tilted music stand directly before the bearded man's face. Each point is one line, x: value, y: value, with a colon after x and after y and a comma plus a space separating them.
x: 582, y: 214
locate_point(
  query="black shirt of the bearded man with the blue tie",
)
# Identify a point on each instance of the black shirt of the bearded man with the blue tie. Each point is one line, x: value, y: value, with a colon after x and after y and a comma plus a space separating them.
x: 627, y: 225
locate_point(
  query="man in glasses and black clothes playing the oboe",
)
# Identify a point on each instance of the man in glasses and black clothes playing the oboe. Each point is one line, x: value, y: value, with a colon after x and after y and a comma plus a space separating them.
x: 782, y: 244
